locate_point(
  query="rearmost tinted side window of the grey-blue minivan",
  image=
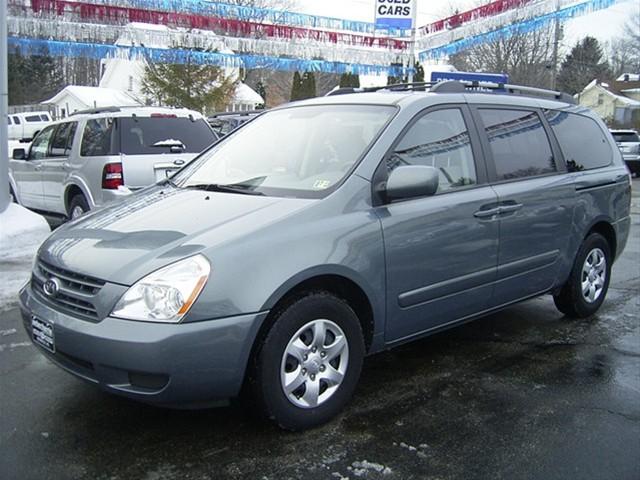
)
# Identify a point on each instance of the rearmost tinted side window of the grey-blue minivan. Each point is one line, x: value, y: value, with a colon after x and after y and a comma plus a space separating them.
x: 582, y: 141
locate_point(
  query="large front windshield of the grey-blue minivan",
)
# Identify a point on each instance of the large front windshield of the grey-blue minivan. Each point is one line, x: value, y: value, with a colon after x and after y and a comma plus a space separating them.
x: 299, y: 151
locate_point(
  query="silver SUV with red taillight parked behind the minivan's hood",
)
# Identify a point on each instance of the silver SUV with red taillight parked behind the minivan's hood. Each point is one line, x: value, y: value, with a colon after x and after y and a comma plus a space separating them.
x: 95, y: 156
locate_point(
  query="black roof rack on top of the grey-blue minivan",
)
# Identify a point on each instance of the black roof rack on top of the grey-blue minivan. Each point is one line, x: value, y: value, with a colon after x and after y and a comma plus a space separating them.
x: 462, y: 86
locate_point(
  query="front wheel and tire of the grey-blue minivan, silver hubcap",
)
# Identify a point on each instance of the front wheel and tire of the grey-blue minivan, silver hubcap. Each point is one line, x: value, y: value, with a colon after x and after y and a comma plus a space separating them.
x: 309, y: 363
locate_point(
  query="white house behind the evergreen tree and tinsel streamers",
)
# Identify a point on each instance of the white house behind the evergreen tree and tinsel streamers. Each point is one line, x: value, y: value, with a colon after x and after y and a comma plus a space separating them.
x: 126, y: 75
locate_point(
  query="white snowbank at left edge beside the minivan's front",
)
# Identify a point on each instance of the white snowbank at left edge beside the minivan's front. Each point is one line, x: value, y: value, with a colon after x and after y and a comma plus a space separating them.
x: 21, y: 233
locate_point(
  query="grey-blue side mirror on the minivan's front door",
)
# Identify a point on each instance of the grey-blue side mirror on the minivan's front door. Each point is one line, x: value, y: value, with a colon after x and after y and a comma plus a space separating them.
x: 411, y: 181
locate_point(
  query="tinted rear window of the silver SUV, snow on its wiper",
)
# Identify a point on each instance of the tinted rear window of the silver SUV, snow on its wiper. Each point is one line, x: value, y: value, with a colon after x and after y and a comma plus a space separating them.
x: 155, y: 135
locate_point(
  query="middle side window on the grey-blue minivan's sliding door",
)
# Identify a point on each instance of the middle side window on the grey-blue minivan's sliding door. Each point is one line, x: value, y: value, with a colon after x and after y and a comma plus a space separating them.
x: 518, y: 142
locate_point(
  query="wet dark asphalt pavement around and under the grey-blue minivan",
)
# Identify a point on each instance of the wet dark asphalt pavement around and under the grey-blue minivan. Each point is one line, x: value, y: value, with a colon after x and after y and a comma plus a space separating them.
x: 522, y: 394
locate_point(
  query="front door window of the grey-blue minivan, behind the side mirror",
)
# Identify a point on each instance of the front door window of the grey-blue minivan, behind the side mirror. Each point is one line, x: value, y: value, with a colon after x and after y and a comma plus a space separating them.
x: 439, y: 139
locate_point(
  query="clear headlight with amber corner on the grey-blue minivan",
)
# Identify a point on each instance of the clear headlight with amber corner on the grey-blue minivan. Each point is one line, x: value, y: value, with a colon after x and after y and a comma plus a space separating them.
x: 165, y: 295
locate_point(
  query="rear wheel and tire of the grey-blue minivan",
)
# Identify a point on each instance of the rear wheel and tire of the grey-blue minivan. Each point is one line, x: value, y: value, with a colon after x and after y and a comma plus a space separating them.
x: 583, y: 293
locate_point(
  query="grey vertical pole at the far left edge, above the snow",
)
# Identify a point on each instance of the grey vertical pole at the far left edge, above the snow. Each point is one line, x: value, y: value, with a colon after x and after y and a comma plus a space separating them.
x: 4, y: 107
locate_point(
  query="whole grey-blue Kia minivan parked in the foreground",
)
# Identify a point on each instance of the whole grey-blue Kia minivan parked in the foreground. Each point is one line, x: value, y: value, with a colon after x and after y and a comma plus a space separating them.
x: 327, y: 230
